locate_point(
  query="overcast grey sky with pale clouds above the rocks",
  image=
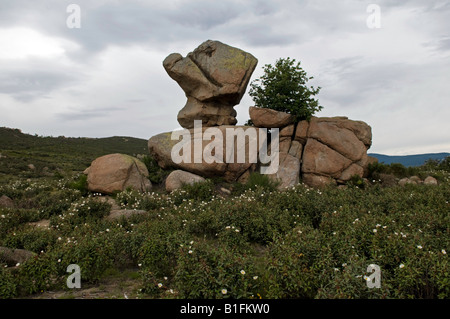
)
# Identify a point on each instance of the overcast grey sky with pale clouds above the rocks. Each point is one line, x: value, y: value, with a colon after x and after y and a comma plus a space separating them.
x: 106, y: 78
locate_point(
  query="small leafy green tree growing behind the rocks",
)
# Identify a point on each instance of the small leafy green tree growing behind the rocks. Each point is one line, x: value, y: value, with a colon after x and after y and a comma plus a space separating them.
x: 283, y: 87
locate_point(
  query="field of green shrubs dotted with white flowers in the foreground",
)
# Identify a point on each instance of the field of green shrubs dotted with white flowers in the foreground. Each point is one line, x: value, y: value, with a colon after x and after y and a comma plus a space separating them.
x: 254, y: 243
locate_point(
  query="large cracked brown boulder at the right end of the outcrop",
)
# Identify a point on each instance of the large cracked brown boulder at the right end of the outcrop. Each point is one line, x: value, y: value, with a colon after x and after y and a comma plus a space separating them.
x: 335, y: 149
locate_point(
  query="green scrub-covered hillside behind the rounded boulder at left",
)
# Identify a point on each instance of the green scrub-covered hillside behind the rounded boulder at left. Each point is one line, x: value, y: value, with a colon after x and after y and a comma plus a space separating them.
x: 17, y: 150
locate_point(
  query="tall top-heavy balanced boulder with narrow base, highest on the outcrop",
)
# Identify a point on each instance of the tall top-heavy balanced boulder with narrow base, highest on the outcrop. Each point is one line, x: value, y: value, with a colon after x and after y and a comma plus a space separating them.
x: 214, y: 78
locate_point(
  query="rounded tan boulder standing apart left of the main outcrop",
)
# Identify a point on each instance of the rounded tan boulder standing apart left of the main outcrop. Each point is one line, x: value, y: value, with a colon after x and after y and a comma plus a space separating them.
x: 116, y: 172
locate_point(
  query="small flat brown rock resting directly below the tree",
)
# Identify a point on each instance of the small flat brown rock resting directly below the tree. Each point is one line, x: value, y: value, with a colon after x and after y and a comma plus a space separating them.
x: 268, y: 118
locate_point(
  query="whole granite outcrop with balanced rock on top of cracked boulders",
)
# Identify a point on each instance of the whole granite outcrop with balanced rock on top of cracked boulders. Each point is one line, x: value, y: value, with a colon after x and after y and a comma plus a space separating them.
x: 214, y: 77
